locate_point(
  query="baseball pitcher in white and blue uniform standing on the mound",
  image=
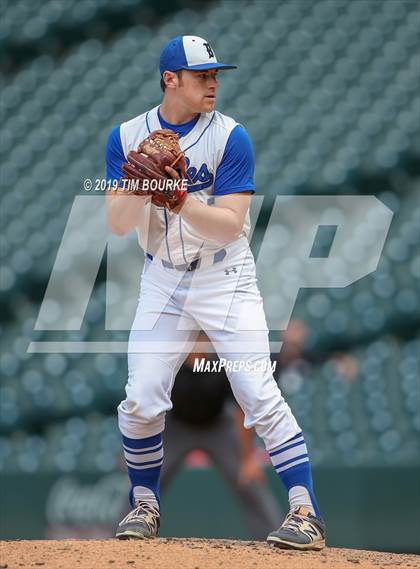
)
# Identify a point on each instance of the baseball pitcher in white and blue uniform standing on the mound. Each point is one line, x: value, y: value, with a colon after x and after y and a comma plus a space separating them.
x: 199, y: 273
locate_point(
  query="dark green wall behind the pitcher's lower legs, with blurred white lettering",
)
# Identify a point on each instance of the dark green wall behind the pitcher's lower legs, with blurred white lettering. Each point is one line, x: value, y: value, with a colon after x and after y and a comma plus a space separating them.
x: 370, y: 508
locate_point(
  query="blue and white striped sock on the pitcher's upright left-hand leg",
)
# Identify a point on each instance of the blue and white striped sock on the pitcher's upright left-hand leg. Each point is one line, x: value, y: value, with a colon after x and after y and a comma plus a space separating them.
x: 144, y: 458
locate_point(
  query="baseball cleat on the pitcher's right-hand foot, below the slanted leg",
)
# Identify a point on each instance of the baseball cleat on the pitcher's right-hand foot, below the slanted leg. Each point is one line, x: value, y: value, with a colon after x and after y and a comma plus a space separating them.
x: 300, y: 530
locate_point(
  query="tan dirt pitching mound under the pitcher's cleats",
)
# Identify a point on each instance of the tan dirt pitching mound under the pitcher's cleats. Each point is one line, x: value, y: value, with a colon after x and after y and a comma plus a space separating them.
x: 187, y: 554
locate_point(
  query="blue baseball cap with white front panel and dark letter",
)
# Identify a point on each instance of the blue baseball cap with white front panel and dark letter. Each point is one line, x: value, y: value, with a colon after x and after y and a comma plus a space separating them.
x: 189, y: 52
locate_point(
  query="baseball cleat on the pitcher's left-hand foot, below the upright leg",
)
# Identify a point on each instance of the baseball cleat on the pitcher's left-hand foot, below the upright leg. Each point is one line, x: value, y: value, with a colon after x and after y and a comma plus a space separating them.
x: 141, y: 523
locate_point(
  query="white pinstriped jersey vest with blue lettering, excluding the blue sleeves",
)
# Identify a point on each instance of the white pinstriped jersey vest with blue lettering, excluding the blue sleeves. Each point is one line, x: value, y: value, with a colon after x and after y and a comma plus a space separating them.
x: 164, y: 234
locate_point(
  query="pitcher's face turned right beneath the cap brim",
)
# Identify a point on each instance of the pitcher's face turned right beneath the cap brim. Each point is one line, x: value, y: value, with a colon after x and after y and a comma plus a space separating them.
x: 198, y: 90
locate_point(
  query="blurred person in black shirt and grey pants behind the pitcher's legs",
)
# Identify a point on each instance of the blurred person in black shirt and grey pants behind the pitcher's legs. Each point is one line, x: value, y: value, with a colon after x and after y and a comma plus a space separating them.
x: 204, y: 416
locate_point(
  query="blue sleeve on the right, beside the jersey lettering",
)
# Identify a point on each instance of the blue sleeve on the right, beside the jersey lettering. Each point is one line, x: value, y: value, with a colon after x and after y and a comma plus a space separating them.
x: 236, y: 170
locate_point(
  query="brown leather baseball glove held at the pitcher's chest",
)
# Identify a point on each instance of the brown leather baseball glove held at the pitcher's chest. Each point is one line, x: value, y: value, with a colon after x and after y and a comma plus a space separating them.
x: 145, y: 170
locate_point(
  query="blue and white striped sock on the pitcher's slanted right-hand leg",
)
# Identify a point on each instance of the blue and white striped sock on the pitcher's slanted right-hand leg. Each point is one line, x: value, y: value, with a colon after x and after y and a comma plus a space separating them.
x: 291, y: 462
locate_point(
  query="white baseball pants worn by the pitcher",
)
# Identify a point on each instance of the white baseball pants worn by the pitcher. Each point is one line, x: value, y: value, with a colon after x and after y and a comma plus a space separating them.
x: 223, y: 300
